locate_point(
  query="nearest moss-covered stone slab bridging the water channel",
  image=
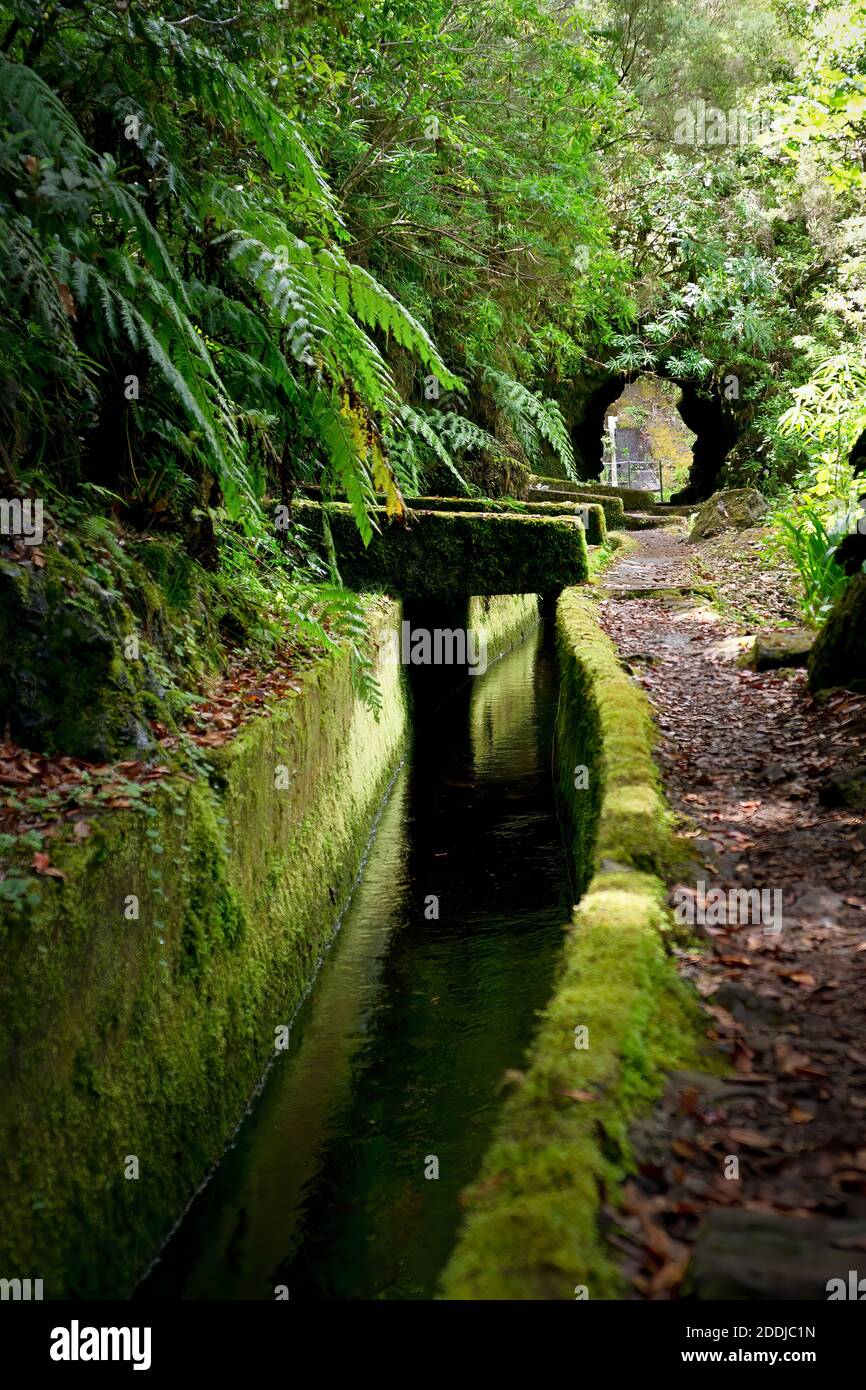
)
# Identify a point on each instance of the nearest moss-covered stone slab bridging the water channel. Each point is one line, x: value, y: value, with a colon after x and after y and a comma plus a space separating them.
x: 452, y: 555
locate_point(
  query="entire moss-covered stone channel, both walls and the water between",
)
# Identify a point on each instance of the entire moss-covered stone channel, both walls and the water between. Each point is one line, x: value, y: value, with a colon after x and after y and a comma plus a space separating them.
x: 134, y: 1043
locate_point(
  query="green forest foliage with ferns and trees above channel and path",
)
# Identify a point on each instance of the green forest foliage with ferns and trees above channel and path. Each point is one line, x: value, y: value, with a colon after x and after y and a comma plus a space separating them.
x: 251, y: 247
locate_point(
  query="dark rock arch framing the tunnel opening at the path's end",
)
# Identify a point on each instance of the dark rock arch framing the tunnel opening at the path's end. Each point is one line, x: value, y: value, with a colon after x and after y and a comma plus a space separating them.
x: 705, y: 415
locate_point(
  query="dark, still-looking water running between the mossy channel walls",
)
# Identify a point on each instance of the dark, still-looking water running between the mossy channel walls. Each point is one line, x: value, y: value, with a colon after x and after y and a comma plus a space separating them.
x: 397, y: 1057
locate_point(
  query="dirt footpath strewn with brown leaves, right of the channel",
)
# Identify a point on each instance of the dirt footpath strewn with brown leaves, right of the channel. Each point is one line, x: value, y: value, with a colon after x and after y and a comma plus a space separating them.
x: 744, y: 757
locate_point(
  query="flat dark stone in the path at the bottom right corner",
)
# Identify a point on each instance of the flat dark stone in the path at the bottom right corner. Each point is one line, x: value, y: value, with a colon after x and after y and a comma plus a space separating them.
x: 767, y: 1256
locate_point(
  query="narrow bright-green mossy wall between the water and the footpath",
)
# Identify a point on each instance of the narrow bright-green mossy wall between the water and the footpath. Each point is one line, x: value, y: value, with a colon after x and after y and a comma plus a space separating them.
x: 562, y: 1146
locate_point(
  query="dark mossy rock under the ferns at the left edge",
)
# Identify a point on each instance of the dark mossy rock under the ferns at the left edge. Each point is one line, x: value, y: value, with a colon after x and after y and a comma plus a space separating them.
x: 69, y: 680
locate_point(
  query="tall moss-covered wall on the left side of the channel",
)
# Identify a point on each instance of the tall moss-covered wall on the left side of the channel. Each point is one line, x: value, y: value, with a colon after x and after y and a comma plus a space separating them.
x: 142, y: 999
